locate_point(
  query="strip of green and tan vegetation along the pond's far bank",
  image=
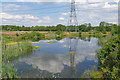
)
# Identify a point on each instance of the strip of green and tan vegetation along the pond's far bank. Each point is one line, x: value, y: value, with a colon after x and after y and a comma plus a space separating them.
x: 36, y: 36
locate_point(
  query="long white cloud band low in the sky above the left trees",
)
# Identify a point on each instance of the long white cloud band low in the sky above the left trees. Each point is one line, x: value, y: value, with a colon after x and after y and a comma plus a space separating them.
x: 25, y: 19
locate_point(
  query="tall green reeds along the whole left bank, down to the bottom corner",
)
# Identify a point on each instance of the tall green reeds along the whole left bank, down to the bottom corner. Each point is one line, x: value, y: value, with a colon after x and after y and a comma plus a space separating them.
x: 12, y: 52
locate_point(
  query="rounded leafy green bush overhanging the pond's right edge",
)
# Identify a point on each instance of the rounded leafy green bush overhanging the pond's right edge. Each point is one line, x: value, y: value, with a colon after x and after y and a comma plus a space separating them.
x: 109, y: 58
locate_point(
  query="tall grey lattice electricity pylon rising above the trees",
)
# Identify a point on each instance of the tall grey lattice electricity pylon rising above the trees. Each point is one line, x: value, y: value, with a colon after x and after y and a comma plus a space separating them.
x: 73, y: 18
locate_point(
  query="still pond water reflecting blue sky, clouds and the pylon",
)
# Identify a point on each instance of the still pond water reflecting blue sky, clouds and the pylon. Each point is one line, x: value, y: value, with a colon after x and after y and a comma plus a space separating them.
x: 54, y: 59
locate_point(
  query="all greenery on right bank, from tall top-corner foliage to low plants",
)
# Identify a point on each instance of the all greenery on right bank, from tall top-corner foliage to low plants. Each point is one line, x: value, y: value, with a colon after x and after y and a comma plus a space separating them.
x: 109, y: 56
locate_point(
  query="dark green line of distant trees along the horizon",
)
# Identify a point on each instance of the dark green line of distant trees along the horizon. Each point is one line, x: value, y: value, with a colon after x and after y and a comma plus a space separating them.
x: 103, y: 26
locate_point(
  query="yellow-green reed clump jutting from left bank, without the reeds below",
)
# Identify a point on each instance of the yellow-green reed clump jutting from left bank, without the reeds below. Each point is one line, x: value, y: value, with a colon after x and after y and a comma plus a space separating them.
x: 10, y: 51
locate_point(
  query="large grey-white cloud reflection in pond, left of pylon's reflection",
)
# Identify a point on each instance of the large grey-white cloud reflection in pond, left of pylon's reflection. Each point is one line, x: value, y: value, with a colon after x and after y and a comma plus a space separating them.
x: 51, y: 63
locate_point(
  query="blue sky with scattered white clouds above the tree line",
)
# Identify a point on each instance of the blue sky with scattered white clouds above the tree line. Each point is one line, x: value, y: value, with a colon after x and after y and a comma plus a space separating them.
x: 53, y: 12
